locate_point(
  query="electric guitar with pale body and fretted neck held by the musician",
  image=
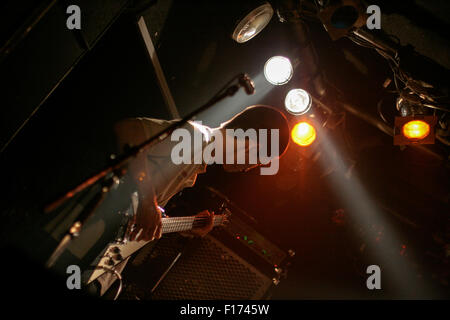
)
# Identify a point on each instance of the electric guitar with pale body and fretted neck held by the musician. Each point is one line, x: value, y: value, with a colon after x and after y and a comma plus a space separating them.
x: 121, y: 248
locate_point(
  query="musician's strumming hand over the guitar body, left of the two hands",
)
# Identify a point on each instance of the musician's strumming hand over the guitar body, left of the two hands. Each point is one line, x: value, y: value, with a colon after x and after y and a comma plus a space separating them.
x: 147, y: 219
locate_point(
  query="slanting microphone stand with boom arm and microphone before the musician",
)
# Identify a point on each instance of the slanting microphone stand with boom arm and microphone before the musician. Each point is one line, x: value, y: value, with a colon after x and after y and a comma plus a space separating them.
x: 112, y: 173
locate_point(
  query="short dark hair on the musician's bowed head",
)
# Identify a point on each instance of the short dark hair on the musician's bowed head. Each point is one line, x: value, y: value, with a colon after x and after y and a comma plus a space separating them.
x: 262, y: 117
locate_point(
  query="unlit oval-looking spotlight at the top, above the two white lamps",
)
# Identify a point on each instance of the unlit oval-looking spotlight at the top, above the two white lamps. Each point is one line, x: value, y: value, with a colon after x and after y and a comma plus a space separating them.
x: 253, y: 23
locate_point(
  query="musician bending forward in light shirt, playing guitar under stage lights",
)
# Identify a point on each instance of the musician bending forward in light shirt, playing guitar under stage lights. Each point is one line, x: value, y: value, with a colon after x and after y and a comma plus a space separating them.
x: 158, y: 179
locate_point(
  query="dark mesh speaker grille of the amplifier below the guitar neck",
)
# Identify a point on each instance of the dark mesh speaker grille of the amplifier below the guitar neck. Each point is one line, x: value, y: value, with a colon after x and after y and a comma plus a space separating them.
x: 212, y: 272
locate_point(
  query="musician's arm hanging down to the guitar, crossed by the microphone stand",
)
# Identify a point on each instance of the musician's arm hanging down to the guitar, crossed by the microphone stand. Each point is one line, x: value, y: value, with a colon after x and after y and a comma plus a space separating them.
x: 148, y: 216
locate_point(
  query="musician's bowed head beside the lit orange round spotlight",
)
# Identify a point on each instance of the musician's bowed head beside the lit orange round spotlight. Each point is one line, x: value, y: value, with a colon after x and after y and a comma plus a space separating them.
x: 261, y: 133
